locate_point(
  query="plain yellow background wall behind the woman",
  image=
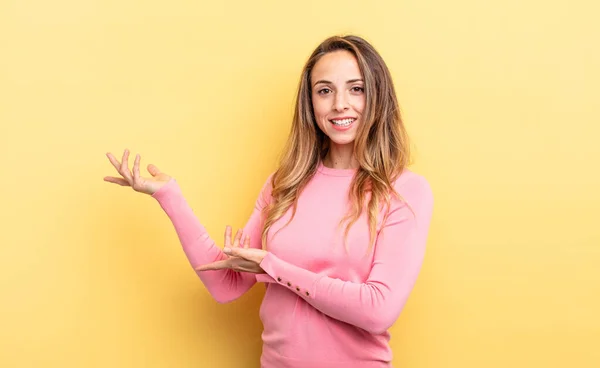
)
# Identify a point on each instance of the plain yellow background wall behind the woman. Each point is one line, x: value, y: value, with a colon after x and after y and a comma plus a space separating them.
x: 500, y: 98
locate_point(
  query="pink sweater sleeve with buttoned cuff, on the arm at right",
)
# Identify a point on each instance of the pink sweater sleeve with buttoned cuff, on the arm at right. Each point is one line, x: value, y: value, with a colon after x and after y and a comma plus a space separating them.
x: 375, y: 304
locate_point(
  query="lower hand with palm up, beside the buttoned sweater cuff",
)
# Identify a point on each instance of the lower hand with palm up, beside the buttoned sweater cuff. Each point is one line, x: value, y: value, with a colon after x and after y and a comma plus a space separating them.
x: 241, y: 259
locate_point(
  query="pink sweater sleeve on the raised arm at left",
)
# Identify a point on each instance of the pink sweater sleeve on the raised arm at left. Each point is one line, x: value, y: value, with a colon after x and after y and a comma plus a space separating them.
x: 224, y: 285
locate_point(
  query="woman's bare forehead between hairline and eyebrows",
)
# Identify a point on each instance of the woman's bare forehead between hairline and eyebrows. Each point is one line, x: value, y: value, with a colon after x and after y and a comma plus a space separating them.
x: 336, y: 65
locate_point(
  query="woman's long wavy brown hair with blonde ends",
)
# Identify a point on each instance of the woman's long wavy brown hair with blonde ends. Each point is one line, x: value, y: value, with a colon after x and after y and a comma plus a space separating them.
x: 381, y: 146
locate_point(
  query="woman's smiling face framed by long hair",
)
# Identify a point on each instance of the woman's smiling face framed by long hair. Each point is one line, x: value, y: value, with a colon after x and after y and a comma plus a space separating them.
x: 338, y: 96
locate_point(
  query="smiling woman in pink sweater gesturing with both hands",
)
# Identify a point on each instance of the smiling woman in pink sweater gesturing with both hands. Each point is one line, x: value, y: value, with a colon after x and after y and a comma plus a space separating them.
x: 338, y: 232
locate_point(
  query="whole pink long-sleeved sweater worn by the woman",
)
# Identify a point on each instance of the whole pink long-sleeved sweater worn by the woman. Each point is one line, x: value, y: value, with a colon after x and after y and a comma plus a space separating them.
x: 323, y: 307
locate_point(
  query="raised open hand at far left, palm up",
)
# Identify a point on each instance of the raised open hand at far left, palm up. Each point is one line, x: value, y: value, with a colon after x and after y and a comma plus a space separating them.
x: 133, y: 179
